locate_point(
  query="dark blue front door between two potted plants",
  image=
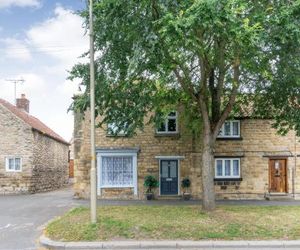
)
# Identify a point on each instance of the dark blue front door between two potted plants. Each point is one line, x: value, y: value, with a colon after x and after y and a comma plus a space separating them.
x: 168, y: 177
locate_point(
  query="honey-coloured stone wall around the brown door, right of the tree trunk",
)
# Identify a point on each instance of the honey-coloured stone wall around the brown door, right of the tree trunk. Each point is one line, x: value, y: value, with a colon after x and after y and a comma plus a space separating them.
x: 259, y: 143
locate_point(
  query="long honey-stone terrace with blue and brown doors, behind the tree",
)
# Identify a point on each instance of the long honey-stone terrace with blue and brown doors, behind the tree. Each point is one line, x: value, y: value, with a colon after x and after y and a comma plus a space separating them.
x: 251, y: 160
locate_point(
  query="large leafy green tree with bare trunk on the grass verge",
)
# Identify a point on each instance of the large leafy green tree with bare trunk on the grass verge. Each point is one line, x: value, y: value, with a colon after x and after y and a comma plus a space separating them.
x: 212, y: 57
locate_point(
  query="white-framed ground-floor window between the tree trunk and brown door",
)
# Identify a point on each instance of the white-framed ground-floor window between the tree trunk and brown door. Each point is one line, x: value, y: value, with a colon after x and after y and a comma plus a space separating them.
x: 227, y: 168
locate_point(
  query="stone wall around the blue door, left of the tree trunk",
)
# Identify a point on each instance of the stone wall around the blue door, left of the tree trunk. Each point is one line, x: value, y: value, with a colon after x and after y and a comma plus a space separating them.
x: 150, y: 145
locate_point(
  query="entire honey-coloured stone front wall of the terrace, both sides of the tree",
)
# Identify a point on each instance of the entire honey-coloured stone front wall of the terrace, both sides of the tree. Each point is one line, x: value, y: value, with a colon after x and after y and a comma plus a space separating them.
x: 259, y: 142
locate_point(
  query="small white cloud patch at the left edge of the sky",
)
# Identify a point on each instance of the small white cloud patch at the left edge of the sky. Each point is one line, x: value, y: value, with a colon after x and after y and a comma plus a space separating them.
x: 15, y: 49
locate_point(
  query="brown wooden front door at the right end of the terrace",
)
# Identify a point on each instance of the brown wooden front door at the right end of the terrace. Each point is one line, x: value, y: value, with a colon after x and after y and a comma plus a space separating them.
x: 277, y: 175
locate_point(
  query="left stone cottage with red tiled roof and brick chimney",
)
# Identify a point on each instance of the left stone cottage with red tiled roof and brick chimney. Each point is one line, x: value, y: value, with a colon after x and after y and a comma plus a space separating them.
x: 33, y: 158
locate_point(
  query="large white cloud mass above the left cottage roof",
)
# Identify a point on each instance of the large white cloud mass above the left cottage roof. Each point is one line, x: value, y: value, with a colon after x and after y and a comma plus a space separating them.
x: 55, y: 45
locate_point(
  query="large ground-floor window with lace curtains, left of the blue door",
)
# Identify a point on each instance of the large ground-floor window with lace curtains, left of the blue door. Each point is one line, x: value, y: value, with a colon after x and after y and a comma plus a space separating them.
x: 117, y: 170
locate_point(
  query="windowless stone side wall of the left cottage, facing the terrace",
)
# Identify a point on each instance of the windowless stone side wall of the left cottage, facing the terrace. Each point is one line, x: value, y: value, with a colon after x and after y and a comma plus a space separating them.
x: 50, y: 164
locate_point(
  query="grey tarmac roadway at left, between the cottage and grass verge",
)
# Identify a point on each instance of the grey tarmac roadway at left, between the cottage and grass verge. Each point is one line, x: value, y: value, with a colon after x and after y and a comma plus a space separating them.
x: 22, y: 216
